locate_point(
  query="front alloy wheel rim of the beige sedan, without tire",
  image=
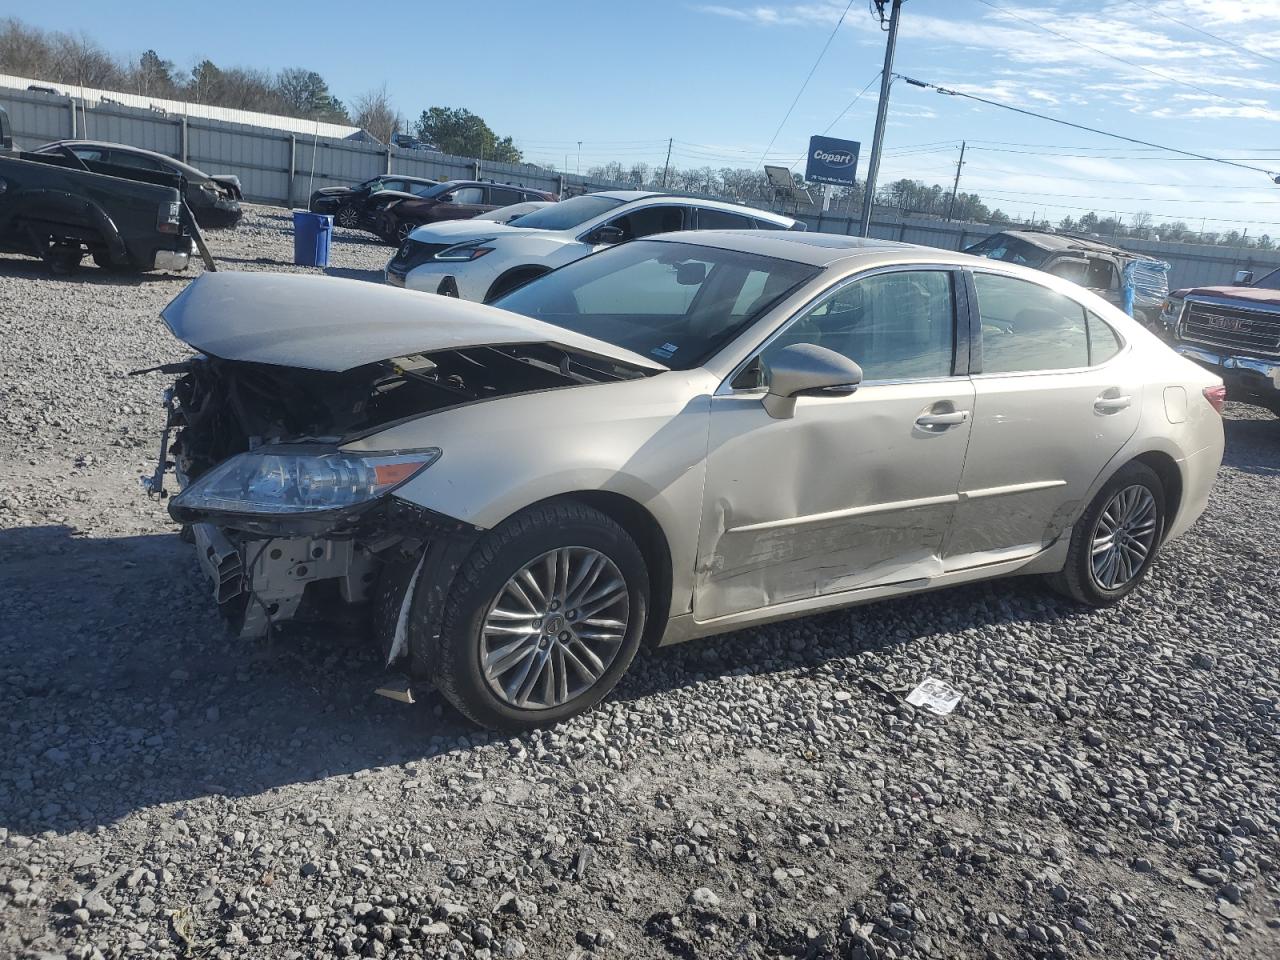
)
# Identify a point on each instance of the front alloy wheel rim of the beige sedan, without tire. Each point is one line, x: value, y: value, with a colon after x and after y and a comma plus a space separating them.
x: 555, y: 629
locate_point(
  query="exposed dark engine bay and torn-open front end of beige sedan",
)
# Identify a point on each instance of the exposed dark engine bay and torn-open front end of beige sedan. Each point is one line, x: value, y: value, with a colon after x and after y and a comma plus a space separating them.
x: 269, y: 572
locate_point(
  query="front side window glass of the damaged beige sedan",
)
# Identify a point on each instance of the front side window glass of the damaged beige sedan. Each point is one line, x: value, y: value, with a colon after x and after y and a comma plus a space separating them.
x: 895, y: 326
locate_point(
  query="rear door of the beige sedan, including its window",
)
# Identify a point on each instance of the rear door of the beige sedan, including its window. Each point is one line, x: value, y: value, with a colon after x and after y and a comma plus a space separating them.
x: 1055, y: 400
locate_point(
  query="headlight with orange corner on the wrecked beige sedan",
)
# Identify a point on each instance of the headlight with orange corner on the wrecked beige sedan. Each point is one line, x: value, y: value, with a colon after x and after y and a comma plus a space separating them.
x: 275, y: 481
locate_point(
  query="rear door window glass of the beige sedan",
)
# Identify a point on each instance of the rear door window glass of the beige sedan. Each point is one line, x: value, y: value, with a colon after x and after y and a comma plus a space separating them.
x: 1027, y: 327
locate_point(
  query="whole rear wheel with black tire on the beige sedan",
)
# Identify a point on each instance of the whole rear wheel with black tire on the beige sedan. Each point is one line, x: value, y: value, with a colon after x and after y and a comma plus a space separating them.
x: 1117, y: 540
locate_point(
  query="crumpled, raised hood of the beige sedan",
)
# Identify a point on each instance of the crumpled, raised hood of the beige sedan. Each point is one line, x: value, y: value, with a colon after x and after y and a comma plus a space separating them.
x: 330, y: 323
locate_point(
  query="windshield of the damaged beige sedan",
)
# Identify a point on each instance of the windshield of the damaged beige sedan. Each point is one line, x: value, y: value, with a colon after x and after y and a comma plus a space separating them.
x: 674, y: 303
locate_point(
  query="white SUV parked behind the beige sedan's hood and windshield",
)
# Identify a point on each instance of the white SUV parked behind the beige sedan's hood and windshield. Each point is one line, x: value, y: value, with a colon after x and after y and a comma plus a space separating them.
x: 486, y: 260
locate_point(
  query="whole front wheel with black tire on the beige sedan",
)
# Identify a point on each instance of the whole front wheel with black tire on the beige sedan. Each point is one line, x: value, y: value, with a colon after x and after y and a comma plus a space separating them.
x: 543, y: 619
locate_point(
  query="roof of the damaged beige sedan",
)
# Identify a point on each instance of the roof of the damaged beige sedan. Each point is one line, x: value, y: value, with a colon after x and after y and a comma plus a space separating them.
x: 819, y: 249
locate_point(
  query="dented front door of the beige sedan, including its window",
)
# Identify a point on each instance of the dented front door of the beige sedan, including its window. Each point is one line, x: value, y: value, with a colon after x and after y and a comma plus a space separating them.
x: 856, y: 490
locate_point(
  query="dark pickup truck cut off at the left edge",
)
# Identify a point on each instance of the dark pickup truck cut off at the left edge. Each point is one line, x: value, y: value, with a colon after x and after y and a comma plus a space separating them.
x: 58, y: 209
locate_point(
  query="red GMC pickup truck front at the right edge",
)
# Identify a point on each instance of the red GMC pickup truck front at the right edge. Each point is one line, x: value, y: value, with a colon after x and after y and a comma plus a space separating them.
x: 1235, y: 331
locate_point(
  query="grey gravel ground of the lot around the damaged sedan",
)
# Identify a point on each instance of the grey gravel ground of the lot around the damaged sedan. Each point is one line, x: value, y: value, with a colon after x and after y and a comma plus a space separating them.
x: 1110, y: 784
